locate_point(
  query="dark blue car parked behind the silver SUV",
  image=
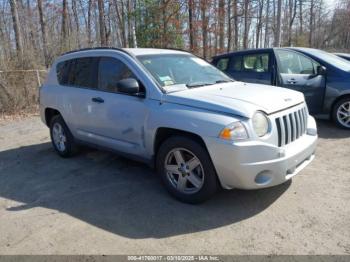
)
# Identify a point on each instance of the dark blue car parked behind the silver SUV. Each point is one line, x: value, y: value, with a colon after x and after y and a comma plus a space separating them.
x: 323, y: 78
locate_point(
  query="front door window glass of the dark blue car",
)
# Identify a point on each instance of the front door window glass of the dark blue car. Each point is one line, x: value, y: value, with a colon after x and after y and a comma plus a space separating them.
x: 294, y: 63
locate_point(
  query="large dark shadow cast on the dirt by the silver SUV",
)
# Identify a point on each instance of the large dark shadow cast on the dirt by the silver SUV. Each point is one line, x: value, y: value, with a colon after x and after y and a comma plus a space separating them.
x: 116, y: 194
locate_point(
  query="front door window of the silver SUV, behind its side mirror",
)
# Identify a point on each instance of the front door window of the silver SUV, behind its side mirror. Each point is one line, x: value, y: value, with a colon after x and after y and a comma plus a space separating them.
x: 110, y: 71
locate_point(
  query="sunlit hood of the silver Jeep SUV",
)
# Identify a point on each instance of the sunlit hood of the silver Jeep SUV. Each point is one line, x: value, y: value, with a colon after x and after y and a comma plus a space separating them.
x: 237, y: 98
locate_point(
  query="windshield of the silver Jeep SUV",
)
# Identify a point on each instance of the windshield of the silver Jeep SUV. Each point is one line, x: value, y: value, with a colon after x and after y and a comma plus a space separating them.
x: 187, y: 70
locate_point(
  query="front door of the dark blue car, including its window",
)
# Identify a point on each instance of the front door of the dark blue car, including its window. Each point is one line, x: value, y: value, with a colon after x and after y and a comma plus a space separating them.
x: 299, y: 72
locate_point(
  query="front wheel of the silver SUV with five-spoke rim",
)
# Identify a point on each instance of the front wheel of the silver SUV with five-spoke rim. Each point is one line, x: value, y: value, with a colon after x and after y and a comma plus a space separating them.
x: 186, y: 170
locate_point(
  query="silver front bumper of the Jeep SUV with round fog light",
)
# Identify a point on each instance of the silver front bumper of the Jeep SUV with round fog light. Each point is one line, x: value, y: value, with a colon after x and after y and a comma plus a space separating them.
x: 253, y: 165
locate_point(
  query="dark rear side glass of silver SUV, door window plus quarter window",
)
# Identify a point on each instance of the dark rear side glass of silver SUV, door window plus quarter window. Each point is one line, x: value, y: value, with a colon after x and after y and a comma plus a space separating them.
x: 78, y: 72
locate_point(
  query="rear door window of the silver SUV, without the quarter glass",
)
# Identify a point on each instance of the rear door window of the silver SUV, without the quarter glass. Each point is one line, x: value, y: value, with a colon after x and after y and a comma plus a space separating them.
x: 82, y: 72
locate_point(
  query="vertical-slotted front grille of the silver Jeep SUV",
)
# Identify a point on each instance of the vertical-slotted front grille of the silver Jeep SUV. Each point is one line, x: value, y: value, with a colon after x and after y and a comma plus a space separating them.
x: 291, y: 126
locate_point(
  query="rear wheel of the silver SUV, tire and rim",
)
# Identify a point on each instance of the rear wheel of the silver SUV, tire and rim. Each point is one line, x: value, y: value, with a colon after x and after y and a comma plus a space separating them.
x: 61, y: 138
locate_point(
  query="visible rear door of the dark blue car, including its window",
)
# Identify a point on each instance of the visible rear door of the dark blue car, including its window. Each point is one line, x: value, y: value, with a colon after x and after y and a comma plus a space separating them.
x: 251, y: 68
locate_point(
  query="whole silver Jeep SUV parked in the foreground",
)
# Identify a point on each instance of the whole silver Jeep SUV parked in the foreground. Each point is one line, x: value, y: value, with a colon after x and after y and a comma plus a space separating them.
x: 198, y: 127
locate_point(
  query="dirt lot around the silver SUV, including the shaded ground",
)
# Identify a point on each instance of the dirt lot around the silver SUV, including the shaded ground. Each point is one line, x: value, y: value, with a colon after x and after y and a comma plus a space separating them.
x: 99, y: 203
